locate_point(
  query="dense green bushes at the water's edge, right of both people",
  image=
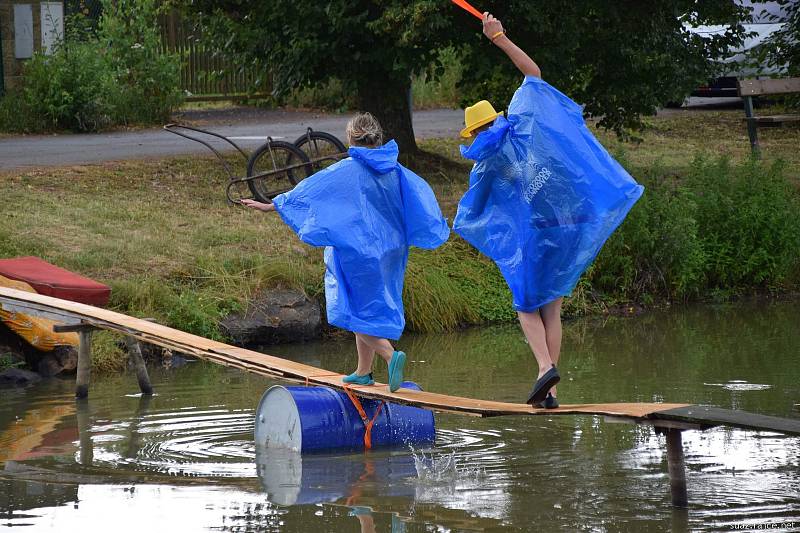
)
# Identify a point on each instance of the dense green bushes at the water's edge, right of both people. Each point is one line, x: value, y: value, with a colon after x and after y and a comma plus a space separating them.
x: 722, y: 229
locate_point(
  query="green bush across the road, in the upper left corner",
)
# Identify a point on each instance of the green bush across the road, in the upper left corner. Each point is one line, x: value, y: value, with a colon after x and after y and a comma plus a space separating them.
x: 97, y: 78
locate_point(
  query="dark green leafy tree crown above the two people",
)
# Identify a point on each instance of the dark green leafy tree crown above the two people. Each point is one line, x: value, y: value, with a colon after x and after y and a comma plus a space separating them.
x: 621, y: 59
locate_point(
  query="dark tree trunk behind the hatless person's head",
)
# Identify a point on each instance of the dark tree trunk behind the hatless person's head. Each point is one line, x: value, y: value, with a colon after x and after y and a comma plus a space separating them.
x: 388, y: 99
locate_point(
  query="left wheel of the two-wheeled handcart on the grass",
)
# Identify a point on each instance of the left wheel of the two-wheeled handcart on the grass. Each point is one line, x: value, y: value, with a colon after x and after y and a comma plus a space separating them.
x: 285, y: 164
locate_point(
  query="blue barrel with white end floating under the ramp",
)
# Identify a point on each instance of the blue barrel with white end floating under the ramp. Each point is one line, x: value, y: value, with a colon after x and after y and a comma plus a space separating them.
x: 308, y: 419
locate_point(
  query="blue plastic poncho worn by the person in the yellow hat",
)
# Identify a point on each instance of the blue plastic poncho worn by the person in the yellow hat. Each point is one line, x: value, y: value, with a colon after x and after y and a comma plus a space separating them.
x: 543, y: 196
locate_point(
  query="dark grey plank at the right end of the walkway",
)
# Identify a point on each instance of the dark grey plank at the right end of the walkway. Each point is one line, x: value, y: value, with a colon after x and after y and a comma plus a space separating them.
x: 701, y: 414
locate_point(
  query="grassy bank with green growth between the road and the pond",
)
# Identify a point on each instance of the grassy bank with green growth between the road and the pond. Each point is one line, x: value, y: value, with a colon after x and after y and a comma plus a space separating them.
x: 161, y: 234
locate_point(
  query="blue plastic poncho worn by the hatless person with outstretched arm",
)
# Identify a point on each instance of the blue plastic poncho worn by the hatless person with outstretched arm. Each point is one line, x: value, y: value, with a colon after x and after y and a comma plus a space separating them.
x: 366, y: 210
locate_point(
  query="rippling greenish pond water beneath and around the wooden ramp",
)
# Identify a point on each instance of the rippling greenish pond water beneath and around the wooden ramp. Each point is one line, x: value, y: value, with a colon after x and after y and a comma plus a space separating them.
x: 185, y: 460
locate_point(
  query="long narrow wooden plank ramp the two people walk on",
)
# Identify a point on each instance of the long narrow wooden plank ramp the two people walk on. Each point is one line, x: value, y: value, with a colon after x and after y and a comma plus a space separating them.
x: 80, y: 317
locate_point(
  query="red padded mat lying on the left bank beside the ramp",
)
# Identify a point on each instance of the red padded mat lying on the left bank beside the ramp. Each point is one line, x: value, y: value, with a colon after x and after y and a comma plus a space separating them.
x: 51, y: 280
